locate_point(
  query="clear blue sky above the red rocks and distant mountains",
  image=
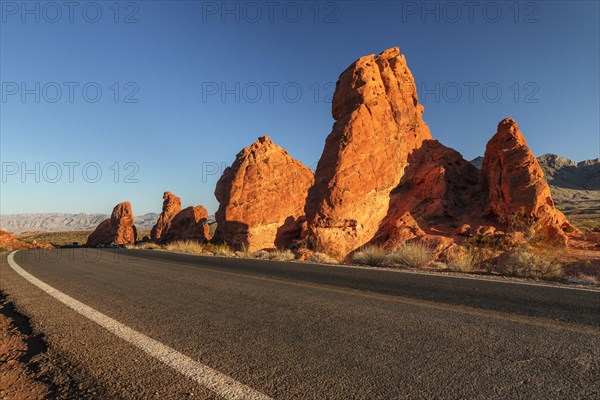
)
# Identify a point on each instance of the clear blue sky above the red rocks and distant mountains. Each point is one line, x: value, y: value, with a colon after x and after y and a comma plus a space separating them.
x: 544, y: 57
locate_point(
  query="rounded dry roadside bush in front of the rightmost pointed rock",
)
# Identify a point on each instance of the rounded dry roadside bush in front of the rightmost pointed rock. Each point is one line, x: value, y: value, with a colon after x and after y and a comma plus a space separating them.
x: 525, y: 264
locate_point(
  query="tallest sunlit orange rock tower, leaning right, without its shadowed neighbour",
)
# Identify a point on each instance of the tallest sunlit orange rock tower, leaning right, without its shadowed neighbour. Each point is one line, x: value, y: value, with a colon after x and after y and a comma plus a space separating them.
x: 378, y: 124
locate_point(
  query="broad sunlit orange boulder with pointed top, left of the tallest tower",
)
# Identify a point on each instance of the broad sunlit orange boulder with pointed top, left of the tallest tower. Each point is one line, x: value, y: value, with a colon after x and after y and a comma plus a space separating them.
x: 261, y: 197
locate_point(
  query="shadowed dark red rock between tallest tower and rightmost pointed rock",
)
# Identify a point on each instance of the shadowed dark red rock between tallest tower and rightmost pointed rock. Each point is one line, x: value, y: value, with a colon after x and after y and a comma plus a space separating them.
x: 438, y: 192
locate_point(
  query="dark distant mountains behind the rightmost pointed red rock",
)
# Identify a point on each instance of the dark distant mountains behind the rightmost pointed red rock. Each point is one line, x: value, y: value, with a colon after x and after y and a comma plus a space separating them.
x: 575, y: 187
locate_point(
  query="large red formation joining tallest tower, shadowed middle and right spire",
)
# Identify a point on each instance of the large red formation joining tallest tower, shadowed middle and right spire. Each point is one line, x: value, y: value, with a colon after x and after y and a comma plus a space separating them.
x: 383, y: 180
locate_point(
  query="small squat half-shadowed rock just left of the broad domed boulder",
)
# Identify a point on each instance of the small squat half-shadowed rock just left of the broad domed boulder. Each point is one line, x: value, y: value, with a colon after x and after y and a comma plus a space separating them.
x: 189, y: 224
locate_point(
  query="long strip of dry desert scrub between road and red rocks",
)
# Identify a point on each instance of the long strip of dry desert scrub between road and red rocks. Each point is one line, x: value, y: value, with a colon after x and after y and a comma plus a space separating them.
x: 519, y: 258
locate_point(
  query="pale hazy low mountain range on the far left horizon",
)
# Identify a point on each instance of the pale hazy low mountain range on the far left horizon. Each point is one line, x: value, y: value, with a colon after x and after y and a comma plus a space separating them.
x: 58, y: 222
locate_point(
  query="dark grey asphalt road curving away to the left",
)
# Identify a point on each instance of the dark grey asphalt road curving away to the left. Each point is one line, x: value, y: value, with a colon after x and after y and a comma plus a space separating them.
x: 290, y: 330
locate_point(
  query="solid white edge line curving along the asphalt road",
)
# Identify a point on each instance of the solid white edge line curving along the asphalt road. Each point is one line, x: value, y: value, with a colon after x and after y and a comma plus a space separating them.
x: 219, y: 383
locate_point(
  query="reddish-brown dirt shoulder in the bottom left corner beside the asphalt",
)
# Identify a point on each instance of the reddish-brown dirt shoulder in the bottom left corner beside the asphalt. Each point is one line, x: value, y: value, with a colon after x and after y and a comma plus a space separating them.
x: 27, y: 369
